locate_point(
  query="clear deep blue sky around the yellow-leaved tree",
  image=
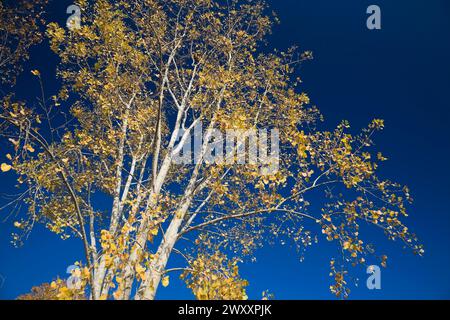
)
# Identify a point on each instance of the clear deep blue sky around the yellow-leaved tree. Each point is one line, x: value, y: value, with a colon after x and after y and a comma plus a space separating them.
x: 400, y: 73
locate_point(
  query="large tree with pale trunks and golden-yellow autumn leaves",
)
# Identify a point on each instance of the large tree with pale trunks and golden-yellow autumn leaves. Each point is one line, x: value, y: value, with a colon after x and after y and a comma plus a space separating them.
x: 137, y: 78
